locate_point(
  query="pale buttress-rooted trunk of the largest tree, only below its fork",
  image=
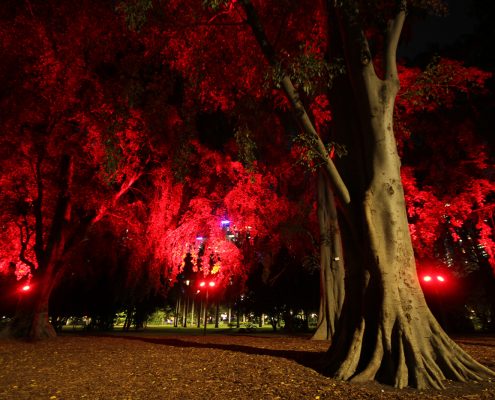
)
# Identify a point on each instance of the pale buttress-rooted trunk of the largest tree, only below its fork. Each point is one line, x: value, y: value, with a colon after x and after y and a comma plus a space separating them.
x: 387, y: 332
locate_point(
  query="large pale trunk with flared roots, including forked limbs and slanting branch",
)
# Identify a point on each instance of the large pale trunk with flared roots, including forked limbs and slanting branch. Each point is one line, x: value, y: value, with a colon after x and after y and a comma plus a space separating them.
x: 386, y: 331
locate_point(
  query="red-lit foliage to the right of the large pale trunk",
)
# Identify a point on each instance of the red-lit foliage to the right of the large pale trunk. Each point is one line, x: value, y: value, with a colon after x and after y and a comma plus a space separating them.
x: 448, y: 164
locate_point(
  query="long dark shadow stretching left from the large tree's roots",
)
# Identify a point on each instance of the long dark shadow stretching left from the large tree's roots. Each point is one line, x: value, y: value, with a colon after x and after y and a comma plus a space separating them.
x: 310, y: 359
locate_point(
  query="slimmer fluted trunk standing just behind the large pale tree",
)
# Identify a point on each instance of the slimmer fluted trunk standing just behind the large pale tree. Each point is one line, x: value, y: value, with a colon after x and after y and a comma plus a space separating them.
x: 331, y: 262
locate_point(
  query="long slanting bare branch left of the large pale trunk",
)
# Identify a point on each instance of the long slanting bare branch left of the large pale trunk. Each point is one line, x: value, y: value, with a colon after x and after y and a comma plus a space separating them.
x: 299, y: 110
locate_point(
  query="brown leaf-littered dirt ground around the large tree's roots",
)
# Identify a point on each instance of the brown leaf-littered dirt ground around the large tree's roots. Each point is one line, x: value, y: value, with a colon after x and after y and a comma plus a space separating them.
x: 219, y: 366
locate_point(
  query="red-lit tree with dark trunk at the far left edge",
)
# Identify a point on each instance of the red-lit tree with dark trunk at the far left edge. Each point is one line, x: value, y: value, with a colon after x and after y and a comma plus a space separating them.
x: 70, y: 154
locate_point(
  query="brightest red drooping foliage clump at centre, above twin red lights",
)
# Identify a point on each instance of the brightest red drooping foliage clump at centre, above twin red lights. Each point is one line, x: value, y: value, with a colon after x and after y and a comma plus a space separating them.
x: 186, y: 217
